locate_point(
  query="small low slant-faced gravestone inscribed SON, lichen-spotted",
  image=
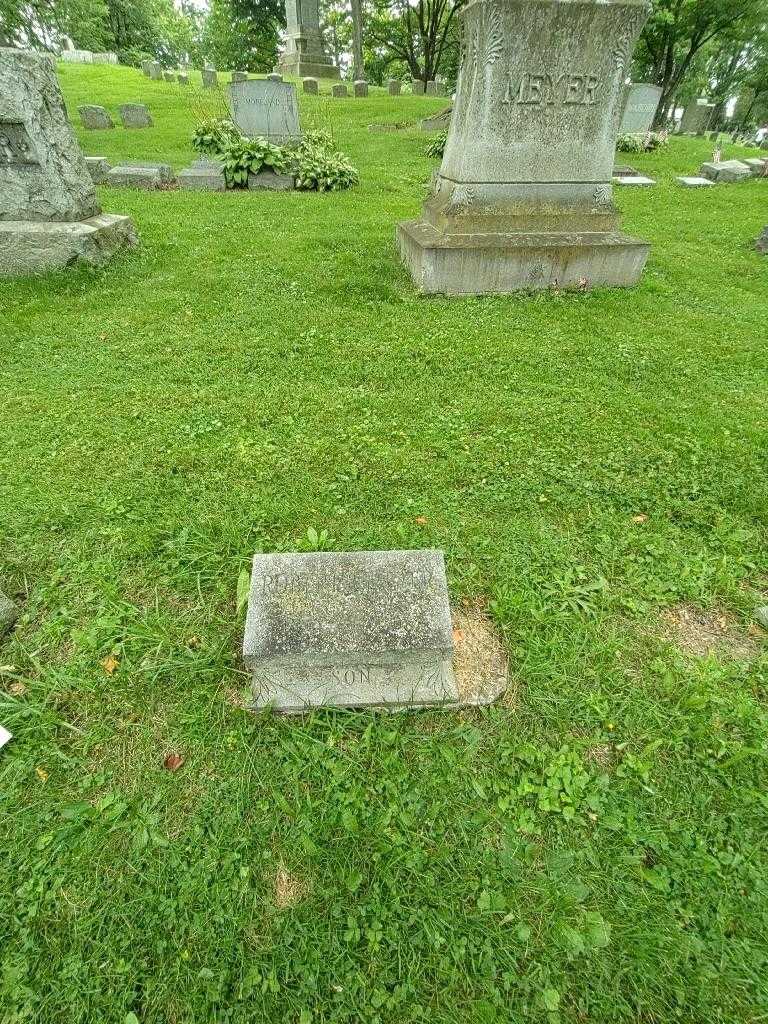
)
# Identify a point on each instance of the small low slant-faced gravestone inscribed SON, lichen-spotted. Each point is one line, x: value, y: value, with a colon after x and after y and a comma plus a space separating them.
x: 354, y: 629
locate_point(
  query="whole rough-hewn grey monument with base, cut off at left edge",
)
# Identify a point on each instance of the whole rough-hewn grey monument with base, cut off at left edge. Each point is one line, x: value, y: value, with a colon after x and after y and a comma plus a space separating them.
x: 50, y: 216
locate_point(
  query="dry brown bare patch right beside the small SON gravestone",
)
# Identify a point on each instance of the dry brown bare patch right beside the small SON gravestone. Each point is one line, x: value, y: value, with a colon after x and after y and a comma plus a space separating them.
x: 481, y: 663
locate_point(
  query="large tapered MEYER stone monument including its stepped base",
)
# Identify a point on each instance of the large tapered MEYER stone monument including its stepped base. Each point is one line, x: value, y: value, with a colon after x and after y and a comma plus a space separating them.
x: 524, y: 196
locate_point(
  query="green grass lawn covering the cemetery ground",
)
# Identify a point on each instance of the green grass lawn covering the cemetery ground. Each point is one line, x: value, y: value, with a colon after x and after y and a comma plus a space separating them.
x: 592, y: 850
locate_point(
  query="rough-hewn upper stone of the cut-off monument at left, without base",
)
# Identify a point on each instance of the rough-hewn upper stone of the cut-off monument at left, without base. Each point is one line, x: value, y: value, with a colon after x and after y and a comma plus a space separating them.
x: 44, y: 176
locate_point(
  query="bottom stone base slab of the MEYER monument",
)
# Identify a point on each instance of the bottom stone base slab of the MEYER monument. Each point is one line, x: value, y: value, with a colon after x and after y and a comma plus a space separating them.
x: 500, y: 265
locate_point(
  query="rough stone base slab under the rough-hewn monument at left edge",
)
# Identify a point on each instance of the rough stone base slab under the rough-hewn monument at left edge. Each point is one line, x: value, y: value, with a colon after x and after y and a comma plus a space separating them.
x: 33, y: 247
